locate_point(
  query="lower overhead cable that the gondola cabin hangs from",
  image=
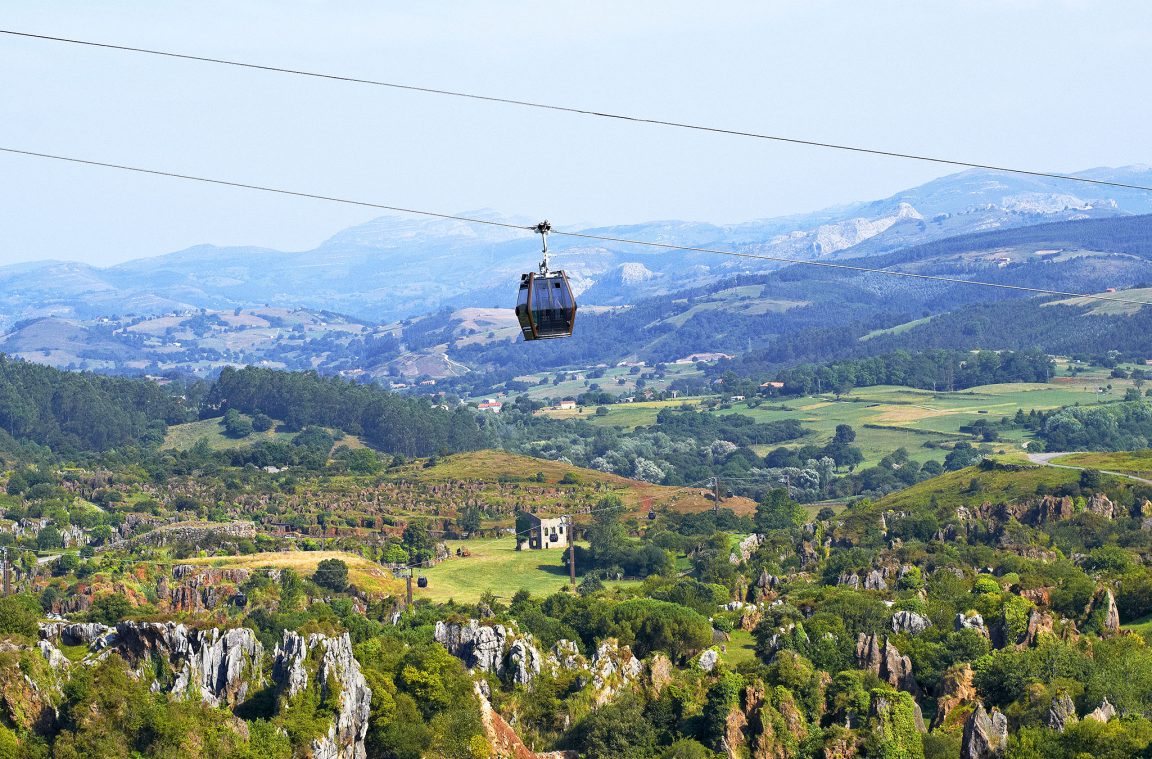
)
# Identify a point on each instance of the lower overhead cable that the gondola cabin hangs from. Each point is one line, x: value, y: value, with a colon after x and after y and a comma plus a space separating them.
x: 580, y: 236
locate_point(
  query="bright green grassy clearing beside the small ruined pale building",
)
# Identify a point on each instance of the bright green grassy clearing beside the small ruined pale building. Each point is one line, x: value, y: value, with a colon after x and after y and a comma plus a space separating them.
x: 497, y: 567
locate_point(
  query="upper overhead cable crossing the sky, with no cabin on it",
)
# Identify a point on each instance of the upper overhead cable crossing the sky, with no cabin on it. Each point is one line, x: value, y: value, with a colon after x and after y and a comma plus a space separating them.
x: 586, y: 112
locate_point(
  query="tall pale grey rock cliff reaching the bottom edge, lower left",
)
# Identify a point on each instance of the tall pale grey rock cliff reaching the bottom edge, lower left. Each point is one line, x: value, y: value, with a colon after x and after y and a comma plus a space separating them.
x: 345, y: 739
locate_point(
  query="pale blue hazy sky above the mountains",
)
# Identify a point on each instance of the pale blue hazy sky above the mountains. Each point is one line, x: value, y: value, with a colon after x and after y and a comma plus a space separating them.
x: 1045, y: 85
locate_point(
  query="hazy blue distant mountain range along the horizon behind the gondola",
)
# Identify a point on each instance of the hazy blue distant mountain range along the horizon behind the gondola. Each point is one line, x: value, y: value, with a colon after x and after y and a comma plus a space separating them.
x: 395, y: 268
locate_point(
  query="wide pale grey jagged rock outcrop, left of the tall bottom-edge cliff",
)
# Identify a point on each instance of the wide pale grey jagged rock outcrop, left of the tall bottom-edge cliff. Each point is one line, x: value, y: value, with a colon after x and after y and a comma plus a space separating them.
x: 218, y: 666
